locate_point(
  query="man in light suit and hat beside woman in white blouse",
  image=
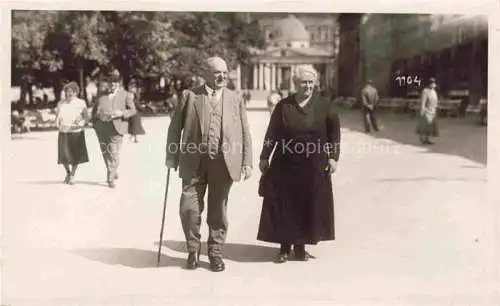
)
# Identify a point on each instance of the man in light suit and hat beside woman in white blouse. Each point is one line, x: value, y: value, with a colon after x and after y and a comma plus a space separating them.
x: 110, y: 113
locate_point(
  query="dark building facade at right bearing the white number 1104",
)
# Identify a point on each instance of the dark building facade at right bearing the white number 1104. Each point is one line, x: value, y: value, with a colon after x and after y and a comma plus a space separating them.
x: 451, y: 48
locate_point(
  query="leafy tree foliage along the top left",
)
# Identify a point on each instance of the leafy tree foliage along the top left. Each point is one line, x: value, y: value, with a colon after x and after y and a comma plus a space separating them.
x: 139, y: 44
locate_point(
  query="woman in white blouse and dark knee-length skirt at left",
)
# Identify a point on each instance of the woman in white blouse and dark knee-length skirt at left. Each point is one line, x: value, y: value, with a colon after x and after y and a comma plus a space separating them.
x: 72, y: 116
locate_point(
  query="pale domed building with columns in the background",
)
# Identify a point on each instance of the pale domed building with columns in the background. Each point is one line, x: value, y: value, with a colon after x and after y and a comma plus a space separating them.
x: 291, y: 40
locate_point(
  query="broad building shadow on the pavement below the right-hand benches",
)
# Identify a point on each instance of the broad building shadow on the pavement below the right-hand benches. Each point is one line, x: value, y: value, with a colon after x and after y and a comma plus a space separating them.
x: 462, y: 137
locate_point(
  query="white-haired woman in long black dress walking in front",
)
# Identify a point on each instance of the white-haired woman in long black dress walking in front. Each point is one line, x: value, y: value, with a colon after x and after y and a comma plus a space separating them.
x: 304, y: 132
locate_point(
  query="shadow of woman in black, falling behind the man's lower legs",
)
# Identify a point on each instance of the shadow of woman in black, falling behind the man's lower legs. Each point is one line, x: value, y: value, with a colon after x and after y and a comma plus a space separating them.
x: 232, y: 251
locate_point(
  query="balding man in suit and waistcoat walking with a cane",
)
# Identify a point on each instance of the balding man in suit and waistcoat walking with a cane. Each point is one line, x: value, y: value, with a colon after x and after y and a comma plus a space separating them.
x: 214, y: 150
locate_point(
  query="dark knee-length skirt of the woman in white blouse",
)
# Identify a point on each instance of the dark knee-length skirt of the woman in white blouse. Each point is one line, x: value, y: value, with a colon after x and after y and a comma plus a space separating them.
x: 72, y: 148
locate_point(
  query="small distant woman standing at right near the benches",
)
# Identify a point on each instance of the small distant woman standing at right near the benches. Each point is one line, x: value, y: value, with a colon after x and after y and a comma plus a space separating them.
x: 427, y: 124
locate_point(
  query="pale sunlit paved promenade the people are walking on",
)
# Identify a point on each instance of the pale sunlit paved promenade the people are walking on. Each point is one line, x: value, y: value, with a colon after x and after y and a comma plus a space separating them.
x: 413, y: 224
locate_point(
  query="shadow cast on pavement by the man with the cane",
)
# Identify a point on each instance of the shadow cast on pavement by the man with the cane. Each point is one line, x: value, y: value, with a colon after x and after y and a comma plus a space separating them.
x: 132, y: 258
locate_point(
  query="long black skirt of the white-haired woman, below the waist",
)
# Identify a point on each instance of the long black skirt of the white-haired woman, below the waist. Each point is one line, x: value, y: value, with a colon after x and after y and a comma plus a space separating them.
x: 298, y: 203
